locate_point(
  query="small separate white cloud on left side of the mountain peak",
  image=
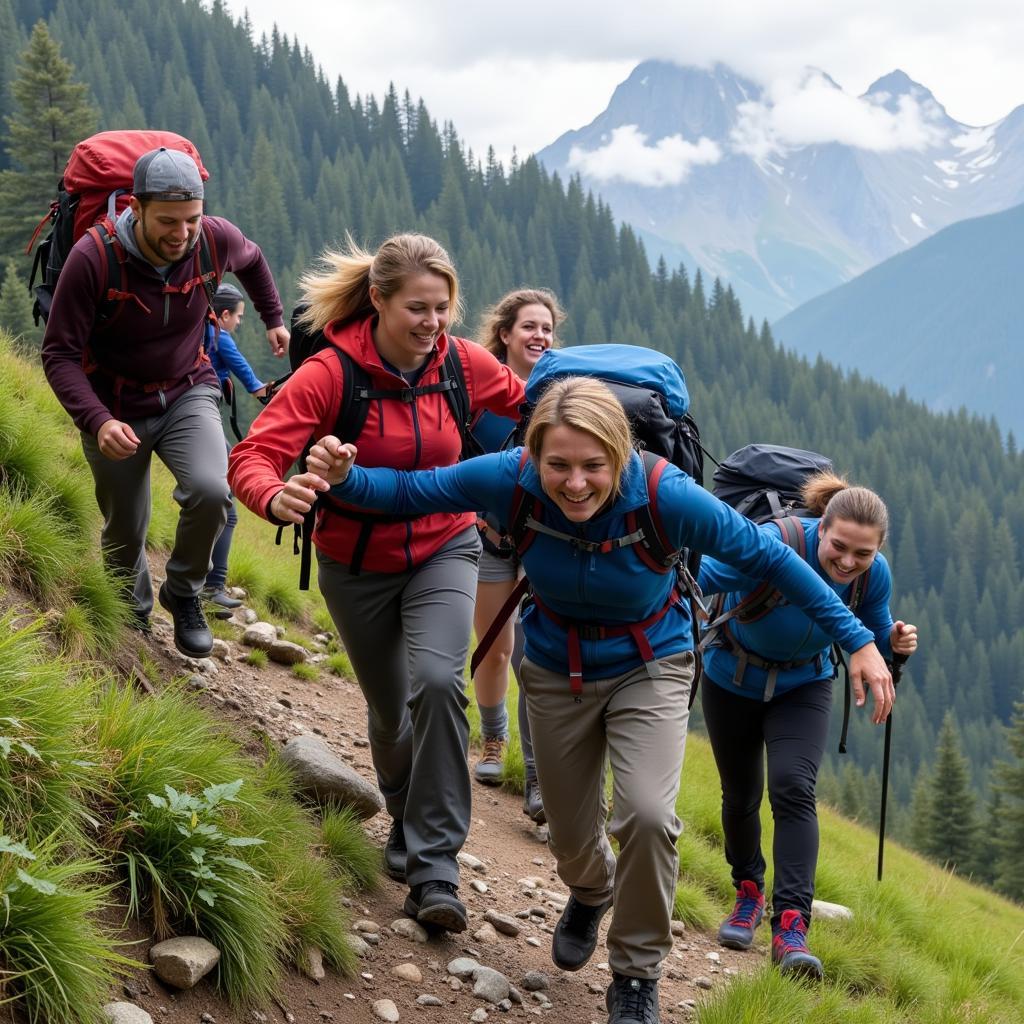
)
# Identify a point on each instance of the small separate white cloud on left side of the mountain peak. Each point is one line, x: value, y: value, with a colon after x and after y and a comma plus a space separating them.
x: 627, y: 157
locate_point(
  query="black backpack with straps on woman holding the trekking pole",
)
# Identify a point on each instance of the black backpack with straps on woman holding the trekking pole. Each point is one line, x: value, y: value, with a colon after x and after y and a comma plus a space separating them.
x: 764, y: 483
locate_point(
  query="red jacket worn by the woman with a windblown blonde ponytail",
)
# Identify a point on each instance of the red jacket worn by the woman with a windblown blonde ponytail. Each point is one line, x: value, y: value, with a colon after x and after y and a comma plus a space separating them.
x: 401, y: 435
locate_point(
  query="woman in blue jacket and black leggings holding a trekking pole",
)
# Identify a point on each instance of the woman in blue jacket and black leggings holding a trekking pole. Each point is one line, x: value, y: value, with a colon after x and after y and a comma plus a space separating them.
x: 770, y: 690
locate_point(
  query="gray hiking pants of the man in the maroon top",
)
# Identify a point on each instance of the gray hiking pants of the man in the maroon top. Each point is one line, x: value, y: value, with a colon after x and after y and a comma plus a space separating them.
x: 190, y: 441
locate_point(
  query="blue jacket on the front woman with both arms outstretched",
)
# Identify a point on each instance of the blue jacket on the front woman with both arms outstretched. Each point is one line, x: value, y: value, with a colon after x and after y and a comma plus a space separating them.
x: 616, y: 587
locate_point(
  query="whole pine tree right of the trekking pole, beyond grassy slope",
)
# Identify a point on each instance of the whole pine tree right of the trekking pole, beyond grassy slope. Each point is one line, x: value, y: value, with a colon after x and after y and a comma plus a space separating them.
x: 952, y: 822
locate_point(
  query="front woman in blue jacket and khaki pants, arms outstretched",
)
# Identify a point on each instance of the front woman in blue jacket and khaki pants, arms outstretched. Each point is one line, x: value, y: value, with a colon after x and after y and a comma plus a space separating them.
x: 609, y: 662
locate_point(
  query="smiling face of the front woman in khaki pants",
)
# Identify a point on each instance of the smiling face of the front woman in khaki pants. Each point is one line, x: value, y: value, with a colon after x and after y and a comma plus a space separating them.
x: 576, y: 473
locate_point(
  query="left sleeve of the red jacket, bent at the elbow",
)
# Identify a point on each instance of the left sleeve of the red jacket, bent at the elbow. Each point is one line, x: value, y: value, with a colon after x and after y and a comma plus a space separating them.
x: 304, y: 409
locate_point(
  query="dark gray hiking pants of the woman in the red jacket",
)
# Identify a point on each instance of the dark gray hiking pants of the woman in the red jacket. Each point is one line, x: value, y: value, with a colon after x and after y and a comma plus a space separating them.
x: 407, y: 635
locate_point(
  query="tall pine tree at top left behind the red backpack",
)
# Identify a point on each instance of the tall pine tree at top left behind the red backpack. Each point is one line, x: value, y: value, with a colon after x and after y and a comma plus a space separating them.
x: 52, y: 114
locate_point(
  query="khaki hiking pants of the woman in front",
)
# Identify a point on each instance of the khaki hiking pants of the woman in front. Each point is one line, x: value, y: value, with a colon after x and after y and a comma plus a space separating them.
x: 639, y: 723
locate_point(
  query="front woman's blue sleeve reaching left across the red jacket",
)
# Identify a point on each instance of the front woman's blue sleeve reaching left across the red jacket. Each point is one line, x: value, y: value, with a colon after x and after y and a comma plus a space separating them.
x: 483, y: 484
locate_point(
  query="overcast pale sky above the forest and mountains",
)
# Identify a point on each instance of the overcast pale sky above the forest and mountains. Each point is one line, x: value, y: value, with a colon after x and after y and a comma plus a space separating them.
x: 521, y: 73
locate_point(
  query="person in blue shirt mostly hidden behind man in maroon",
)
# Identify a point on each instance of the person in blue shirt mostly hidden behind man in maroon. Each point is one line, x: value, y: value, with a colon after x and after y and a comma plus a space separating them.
x: 230, y: 308
